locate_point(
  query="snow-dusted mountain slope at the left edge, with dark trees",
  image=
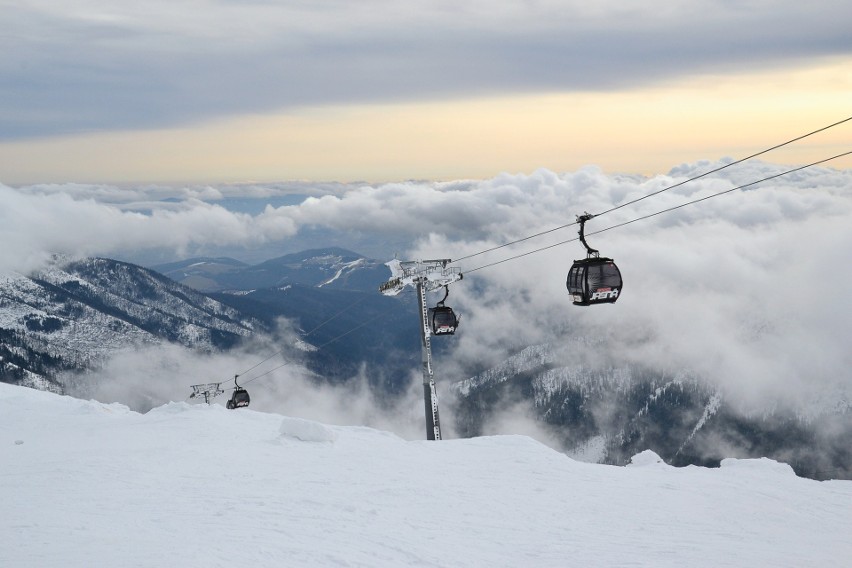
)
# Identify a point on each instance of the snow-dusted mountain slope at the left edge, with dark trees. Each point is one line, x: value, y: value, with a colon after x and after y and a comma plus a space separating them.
x: 76, y: 313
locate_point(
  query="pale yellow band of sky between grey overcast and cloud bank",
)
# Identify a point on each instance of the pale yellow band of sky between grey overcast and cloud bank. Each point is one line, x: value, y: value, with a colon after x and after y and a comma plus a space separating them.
x: 647, y: 131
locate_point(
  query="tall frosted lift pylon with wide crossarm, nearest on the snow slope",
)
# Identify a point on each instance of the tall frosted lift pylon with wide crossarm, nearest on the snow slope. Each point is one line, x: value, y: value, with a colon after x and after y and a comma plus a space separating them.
x: 425, y: 276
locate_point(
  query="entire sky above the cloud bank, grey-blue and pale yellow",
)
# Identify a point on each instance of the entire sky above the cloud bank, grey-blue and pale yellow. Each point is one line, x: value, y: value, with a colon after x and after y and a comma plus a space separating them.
x: 217, y: 90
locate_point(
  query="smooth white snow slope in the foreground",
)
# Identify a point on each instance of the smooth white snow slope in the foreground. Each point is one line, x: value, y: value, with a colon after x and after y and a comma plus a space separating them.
x: 87, y: 484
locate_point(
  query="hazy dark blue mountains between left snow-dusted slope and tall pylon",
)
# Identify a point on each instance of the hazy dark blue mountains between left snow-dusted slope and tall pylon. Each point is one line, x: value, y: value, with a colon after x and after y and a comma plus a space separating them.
x: 327, y: 293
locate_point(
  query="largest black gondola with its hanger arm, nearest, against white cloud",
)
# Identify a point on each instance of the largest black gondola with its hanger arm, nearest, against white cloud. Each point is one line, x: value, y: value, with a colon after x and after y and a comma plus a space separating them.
x: 594, y: 279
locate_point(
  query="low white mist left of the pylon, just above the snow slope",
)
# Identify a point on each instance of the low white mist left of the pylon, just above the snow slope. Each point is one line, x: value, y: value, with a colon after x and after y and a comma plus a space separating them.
x: 152, y: 376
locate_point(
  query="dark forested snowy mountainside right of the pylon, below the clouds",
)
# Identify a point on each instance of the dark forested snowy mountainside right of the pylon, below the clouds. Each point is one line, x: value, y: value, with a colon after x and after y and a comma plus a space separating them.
x: 610, y: 410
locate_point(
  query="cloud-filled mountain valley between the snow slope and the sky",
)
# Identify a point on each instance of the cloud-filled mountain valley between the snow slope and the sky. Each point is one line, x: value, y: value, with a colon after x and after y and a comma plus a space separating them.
x: 720, y: 346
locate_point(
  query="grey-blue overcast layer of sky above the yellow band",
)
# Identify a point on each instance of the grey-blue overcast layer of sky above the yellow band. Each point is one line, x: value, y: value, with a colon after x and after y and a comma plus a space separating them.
x: 86, y: 65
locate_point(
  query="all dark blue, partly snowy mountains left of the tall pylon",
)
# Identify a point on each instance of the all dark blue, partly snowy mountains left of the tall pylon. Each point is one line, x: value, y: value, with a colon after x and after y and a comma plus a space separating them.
x: 74, y: 314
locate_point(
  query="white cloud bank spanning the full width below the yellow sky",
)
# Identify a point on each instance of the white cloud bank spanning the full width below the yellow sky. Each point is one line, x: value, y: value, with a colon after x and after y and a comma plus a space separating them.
x: 747, y: 289
